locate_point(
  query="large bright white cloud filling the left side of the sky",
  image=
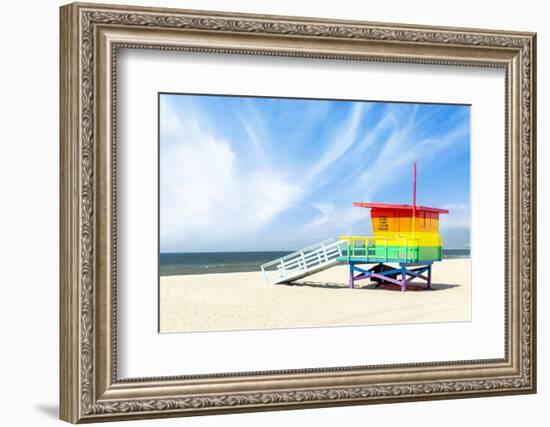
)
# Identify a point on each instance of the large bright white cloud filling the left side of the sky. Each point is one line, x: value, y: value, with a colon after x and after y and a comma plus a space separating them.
x: 207, y: 196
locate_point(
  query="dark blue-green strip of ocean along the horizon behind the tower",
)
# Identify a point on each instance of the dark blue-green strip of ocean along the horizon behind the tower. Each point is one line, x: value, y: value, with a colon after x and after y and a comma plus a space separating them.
x: 172, y: 264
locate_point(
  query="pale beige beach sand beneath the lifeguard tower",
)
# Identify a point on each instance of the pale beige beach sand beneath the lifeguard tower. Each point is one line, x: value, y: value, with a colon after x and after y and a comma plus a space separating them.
x: 237, y: 301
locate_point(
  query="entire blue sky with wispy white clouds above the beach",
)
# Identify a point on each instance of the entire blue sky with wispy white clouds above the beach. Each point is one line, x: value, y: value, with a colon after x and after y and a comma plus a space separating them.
x: 250, y: 174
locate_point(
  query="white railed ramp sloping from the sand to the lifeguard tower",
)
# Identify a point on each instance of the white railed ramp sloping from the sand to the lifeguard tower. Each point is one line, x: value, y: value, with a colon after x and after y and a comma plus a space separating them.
x: 303, y: 262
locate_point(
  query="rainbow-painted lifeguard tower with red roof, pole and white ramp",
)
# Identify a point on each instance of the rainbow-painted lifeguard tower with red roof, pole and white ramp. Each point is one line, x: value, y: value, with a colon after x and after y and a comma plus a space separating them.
x: 404, y: 235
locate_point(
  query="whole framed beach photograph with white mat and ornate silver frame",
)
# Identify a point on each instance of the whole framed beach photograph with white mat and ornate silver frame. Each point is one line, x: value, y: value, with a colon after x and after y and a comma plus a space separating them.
x: 266, y: 212
